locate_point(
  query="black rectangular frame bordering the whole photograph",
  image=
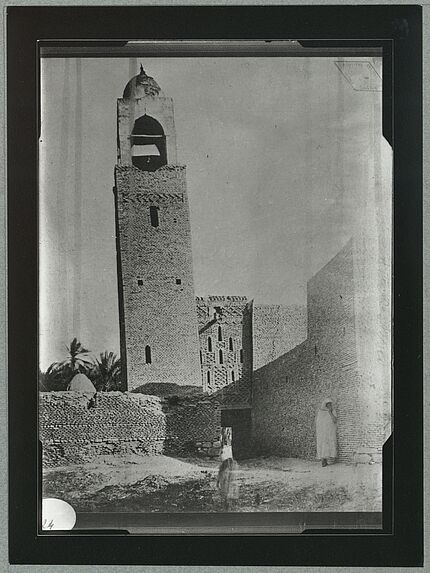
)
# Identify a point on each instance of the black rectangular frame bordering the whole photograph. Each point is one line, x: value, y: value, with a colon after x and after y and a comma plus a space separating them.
x: 398, y: 30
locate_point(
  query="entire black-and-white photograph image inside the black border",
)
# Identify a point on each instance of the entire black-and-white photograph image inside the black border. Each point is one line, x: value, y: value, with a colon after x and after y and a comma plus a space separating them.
x: 215, y: 285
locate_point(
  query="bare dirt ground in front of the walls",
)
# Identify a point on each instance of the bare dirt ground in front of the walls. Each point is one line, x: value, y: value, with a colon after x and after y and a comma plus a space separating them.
x: 163, y: 484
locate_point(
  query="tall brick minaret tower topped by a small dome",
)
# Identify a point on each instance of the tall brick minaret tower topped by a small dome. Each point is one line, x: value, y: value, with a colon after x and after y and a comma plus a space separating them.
x: 158, y: 317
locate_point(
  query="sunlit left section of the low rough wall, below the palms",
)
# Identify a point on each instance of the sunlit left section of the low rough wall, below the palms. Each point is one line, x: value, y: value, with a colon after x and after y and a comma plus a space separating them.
x: 73, y: 429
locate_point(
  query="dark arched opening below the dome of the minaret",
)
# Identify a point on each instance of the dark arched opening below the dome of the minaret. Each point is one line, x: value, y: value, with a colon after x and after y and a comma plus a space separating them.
x: 148, y: 144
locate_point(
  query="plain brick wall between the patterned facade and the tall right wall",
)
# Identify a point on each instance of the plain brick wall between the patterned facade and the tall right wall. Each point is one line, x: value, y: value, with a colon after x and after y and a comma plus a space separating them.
x: 276, y: 330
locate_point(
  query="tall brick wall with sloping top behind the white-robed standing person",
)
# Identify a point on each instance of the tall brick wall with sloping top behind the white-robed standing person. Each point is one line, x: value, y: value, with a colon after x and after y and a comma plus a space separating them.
x: 287, y: 392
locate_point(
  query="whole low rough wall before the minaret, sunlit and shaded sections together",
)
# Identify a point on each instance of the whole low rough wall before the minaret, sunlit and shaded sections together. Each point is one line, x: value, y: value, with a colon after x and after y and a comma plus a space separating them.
x: 75, y: 429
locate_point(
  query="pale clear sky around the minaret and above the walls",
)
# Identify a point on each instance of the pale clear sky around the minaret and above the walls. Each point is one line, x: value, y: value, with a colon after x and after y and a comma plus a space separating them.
x: 279, y: 155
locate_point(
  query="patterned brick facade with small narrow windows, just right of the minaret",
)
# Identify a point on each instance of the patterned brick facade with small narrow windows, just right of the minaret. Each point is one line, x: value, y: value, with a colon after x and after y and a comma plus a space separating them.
x: 225, y: 331
